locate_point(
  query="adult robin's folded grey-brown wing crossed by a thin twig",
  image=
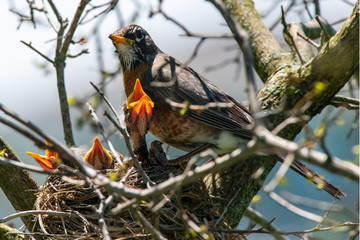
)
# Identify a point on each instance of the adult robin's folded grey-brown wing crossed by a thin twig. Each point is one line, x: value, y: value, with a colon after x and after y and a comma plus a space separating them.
x: 176, y: 83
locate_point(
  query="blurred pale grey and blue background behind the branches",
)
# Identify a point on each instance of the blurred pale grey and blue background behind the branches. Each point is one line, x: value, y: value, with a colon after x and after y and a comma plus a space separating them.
x: 28, y: 86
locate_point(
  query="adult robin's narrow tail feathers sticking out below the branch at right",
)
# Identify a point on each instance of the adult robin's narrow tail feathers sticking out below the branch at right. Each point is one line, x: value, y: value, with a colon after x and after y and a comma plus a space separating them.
x: 310, y: 174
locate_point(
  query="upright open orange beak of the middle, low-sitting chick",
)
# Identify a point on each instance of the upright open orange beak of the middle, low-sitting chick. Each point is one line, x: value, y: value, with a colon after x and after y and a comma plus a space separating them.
x: 98, y: 156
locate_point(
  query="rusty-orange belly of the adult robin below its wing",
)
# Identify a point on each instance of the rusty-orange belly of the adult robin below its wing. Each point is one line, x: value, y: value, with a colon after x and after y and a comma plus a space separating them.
x: 180, y: 131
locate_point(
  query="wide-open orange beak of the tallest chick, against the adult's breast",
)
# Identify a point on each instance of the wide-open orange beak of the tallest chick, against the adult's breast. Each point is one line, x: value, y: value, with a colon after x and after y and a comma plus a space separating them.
x: 139, y: 101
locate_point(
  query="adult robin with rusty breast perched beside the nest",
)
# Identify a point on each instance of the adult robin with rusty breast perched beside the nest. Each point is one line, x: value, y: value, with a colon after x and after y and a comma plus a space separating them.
x: 221, y: 122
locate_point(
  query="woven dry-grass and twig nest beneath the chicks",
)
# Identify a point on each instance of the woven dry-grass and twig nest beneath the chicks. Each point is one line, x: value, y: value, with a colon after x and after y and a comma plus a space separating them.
x: 190, y: 203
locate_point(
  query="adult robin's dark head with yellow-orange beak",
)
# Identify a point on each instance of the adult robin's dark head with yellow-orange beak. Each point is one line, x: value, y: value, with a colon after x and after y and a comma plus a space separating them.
x: 134, y: 46
